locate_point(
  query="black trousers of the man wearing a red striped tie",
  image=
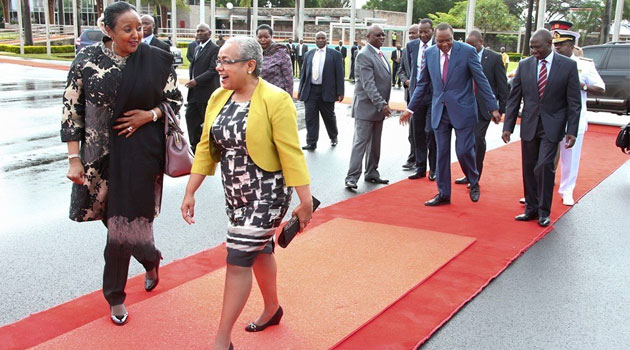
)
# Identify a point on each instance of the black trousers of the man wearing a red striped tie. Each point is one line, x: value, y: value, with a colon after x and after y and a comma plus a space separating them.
x: 538, y: 172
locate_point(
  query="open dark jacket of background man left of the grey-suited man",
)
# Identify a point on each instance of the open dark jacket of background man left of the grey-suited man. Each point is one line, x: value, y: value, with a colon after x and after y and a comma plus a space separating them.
x: 332, y: 76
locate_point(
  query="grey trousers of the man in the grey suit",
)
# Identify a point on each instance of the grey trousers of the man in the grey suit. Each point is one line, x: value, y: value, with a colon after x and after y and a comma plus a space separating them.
x: 366, y: 142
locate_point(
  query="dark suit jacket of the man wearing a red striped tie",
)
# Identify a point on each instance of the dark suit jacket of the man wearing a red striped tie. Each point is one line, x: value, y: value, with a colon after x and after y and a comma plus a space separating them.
x: 558, y: 109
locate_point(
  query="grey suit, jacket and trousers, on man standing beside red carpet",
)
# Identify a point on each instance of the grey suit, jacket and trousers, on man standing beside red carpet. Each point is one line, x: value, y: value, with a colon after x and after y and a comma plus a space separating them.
x: 371, y: 94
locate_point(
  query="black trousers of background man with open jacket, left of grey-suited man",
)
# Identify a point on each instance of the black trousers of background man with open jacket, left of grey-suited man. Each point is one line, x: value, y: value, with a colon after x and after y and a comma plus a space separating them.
x: 315, y: 105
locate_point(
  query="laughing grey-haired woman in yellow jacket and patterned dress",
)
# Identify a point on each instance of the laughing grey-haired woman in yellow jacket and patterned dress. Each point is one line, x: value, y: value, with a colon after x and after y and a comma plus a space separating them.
x: 251, y: 130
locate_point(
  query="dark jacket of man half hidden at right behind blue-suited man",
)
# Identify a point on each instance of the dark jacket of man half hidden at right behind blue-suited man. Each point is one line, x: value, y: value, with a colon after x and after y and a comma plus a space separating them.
x: 493, y: 68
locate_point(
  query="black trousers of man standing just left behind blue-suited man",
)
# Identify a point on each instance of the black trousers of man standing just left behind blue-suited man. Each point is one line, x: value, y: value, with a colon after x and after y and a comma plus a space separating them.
x: 423, y: 139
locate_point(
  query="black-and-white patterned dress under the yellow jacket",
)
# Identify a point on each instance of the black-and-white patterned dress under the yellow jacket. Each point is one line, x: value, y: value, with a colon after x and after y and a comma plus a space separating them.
x: 256, y: 200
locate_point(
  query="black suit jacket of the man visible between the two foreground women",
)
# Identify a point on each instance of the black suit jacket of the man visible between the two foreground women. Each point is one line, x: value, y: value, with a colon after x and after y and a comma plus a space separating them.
x: 203, y: 70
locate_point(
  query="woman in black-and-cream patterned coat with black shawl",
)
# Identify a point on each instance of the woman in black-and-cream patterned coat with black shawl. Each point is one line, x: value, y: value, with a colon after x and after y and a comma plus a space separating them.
x: 112, y: 108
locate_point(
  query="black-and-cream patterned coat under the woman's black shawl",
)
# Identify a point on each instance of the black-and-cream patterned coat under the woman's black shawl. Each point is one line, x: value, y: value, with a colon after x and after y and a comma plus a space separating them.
x: 88, y: 107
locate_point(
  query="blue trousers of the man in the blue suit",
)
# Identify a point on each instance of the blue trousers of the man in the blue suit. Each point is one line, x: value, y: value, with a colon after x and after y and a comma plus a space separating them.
x: 464, y: 148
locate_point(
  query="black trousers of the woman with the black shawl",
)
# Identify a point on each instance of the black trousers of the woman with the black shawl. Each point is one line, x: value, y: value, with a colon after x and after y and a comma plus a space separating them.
x: 117, y: 256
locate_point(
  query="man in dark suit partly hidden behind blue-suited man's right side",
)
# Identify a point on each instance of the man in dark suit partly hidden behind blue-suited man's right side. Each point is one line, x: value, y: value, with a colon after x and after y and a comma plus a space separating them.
x: 493, y: 68
